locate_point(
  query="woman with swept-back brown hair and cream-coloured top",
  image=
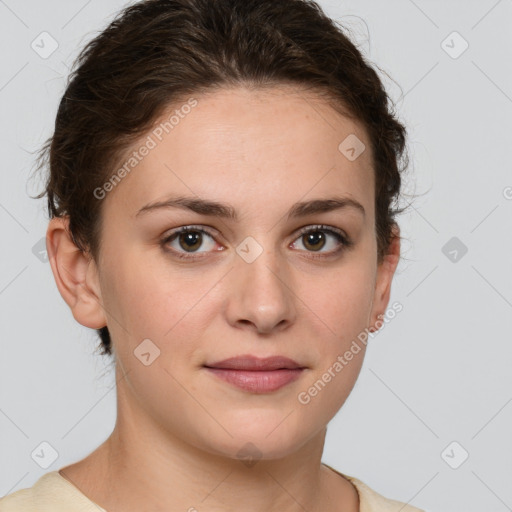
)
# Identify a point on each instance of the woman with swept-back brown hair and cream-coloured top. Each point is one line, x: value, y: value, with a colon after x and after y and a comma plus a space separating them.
x: 222, y: 175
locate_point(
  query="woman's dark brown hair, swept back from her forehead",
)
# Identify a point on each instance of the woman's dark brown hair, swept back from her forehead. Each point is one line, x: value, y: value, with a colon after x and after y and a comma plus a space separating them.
x: 157, y: 52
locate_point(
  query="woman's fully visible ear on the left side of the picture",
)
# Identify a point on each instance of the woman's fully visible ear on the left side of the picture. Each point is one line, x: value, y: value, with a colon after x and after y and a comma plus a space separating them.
x: 76, y: 275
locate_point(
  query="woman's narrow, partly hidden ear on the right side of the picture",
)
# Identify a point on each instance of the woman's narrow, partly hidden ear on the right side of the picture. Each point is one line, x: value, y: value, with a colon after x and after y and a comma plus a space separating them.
x: 385, y: 272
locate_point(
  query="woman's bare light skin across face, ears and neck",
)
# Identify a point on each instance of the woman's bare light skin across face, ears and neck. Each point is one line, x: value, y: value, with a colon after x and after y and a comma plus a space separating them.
x: 179, y: 428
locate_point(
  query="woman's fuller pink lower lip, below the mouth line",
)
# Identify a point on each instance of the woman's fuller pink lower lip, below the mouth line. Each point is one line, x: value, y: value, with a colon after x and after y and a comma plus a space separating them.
x: 258, y: 381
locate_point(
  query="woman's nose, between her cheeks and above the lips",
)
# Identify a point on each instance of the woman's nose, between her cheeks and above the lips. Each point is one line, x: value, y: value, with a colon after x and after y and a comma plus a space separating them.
x: 261, y: 296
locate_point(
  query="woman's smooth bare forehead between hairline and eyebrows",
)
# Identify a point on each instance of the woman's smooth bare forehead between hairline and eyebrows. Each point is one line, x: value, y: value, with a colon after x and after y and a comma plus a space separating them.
x: 248, y: 148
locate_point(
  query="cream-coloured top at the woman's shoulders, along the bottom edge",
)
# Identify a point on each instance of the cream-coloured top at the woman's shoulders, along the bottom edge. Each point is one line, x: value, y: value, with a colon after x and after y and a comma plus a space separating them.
x: 53, y: 493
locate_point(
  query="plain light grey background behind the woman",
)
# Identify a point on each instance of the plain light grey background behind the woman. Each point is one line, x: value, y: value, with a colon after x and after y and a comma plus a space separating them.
x: 438, y: 373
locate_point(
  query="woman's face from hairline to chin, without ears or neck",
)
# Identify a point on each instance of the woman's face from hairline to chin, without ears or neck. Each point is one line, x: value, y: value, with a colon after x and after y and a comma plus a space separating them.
x: 253, y: 285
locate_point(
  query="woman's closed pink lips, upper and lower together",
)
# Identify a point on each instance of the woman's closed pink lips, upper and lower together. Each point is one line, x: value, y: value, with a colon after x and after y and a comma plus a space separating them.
x: 256, y: 374
